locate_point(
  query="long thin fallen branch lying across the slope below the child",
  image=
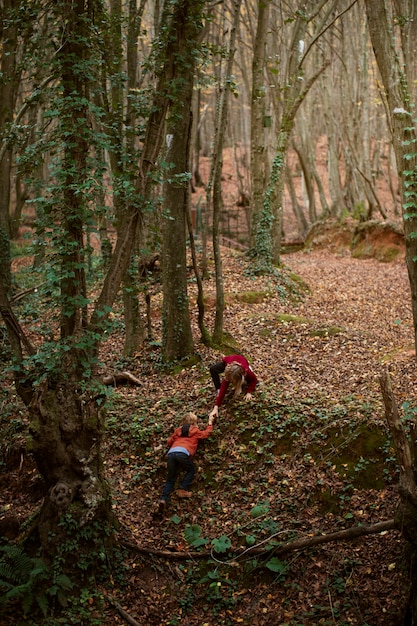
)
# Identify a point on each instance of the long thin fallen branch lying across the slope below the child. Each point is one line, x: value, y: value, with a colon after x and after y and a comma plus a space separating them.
x: 298, y: 544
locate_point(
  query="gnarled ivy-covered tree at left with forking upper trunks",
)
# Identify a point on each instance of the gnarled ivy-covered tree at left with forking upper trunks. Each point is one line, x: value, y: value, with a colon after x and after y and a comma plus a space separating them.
x: 59, y: 382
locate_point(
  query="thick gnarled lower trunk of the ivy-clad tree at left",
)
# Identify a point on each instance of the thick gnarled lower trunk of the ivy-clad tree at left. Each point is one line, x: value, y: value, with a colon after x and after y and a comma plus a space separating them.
x: 66, y: 431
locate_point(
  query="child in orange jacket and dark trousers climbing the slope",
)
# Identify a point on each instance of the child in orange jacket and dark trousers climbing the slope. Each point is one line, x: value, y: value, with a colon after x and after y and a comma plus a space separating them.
x: 182, y: 446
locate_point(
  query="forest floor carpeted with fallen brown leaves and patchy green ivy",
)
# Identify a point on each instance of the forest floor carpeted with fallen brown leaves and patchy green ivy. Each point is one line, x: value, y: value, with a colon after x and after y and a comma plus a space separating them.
x: 309, y: 455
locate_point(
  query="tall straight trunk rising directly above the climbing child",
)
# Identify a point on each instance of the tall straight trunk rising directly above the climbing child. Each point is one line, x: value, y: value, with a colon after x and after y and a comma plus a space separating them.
x: 177, y: 339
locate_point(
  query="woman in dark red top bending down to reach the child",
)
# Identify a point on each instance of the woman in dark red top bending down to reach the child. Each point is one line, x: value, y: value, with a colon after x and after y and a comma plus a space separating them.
x: 238, y: 373
